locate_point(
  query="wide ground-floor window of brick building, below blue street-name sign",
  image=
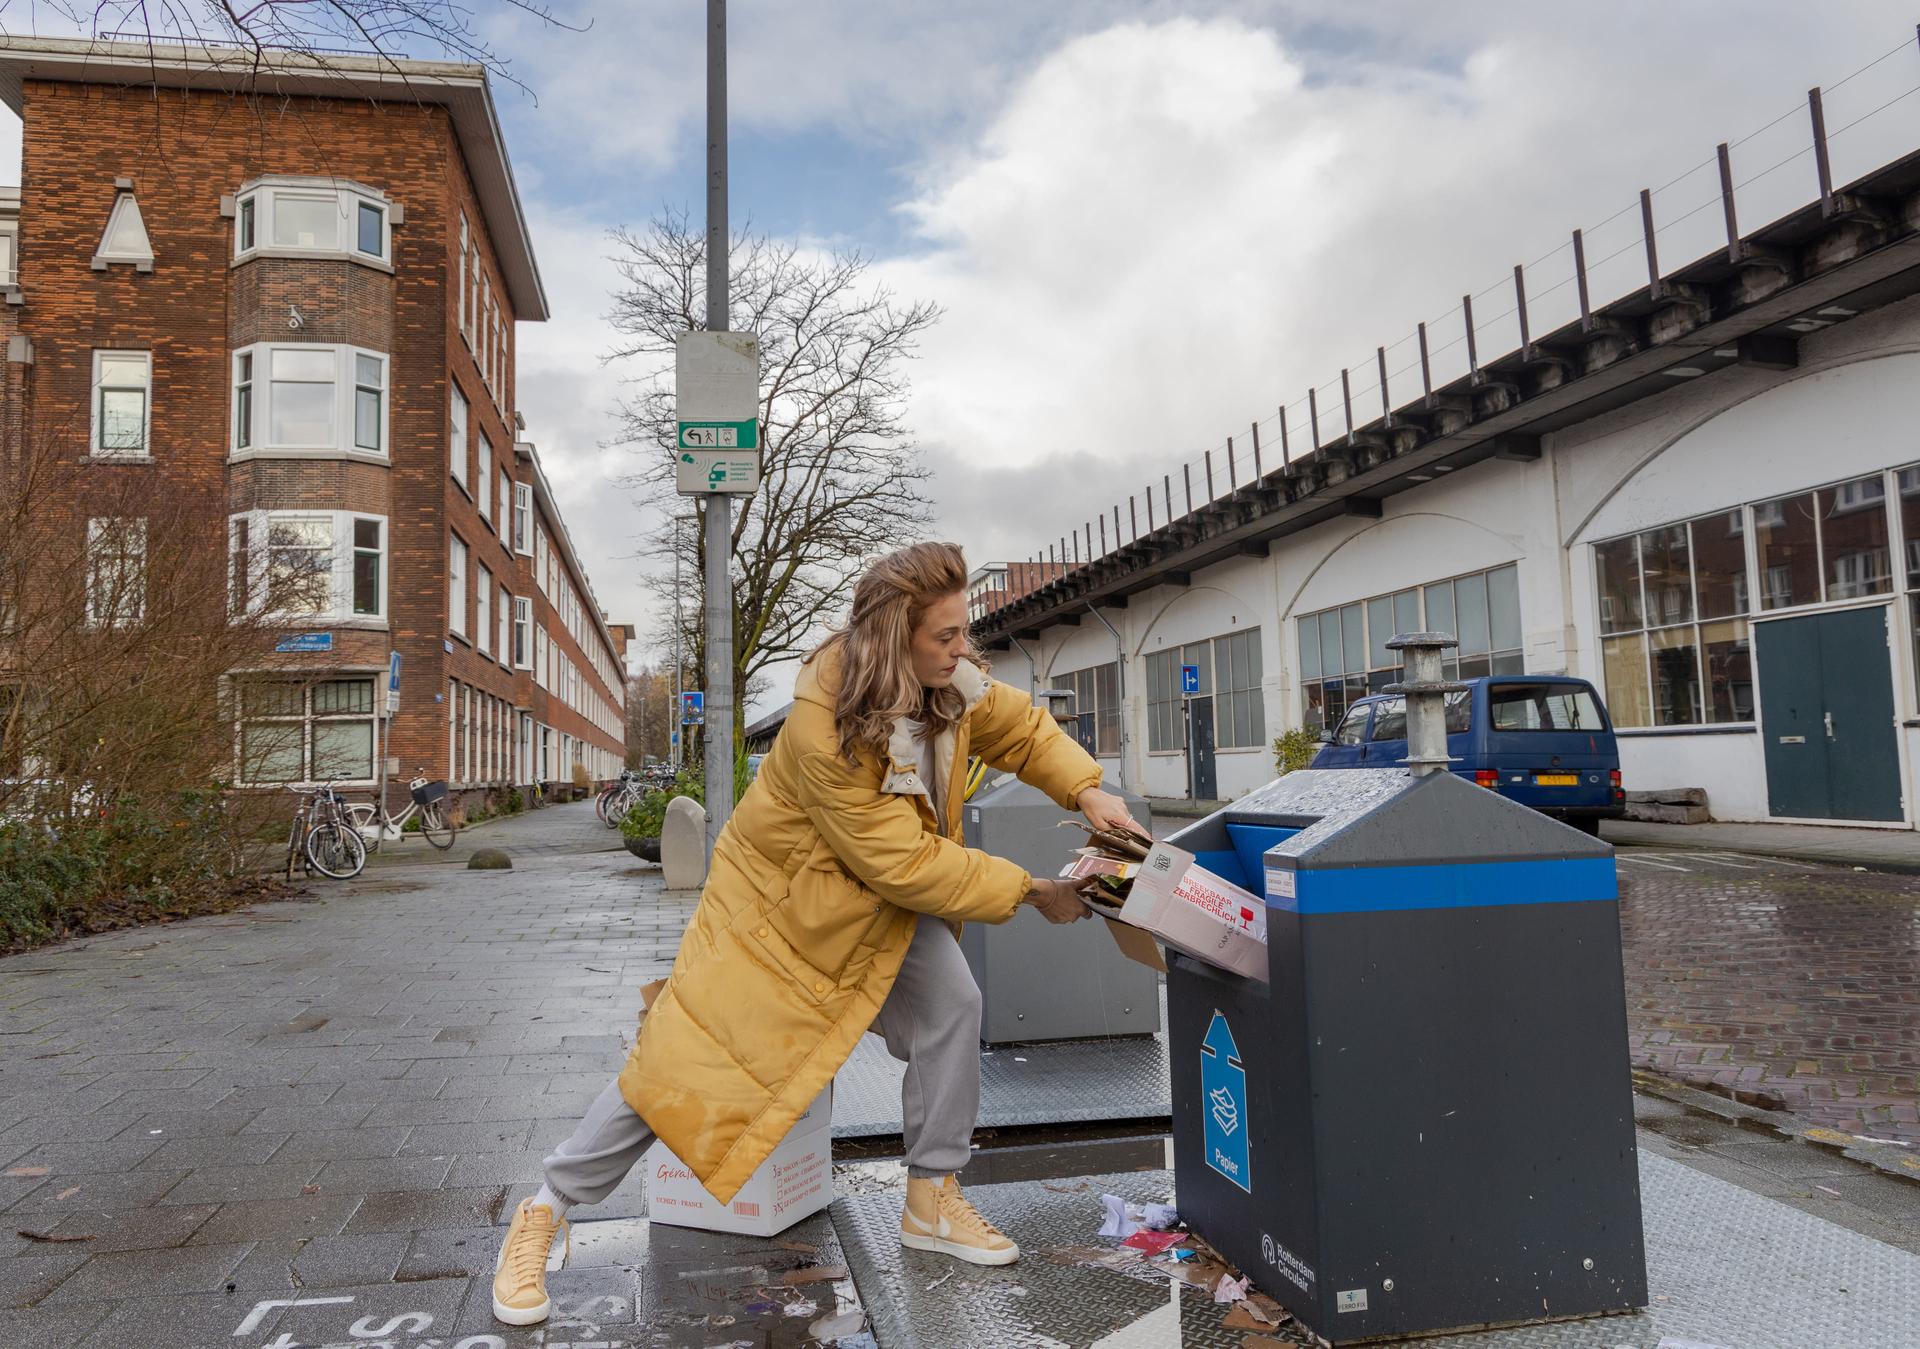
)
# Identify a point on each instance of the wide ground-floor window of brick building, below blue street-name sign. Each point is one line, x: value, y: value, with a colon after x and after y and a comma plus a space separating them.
x: 306, y: 732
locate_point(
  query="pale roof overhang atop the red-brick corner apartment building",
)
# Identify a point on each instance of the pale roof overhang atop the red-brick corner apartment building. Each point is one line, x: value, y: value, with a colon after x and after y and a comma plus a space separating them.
x: 229, y: 70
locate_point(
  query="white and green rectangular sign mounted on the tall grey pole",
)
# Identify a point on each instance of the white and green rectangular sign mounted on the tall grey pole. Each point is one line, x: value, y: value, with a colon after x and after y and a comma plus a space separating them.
x: 717, y: 402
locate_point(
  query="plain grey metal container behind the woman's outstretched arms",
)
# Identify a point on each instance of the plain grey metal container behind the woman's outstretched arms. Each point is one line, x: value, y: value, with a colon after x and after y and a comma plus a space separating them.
x: 1038, y: 980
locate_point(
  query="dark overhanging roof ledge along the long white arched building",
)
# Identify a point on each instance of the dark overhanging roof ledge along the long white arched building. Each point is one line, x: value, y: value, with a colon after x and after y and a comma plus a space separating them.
x: 1746, y: 304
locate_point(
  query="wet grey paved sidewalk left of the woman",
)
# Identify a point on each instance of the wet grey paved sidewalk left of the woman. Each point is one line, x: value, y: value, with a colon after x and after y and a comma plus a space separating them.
x: 339, y: 1100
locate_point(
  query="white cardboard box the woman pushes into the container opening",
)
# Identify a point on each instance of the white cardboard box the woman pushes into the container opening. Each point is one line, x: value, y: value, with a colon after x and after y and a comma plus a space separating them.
x: 1193, y: 911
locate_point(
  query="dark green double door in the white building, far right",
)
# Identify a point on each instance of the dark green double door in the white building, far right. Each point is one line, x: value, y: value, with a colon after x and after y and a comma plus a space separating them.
x: 1827, y: 717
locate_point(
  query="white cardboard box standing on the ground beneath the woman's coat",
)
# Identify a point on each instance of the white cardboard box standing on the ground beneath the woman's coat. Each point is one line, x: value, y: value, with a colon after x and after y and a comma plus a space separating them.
x: 794, y: 1183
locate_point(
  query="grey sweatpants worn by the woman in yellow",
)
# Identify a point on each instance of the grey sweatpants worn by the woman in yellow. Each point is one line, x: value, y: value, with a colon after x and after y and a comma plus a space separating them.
x: 930, y: 1022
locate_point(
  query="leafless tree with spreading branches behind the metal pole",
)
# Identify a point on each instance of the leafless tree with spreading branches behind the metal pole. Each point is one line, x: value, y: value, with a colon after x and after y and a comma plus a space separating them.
x: 842, y: 477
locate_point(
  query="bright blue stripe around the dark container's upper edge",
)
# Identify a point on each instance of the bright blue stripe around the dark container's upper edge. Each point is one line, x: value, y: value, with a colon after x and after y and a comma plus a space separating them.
x: 1452, y: 887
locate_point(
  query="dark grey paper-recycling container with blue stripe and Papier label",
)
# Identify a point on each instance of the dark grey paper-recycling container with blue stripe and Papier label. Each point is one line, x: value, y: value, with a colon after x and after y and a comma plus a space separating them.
x: 1424, y: 1120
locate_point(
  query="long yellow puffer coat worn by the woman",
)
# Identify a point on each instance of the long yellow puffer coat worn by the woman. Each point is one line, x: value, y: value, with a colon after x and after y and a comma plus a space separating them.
x: 807, y: 914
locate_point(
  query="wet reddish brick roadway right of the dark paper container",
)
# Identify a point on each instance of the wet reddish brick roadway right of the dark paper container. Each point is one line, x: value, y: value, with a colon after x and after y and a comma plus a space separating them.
x: 1787, y: 983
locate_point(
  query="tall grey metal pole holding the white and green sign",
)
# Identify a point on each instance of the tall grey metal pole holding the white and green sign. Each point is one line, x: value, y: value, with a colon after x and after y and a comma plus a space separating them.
x: 719, y: 506
